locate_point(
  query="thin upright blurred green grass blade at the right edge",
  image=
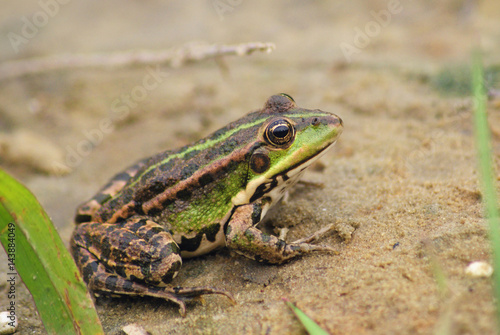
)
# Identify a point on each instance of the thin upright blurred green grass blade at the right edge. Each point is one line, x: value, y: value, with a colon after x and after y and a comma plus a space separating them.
x: 486, y: 169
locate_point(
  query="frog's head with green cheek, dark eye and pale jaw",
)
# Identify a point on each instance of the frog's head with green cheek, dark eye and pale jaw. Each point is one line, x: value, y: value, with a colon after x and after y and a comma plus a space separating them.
x: 287, y: 142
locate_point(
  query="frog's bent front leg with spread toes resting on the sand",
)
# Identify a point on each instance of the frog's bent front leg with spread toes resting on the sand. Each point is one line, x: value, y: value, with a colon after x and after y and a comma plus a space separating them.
x: 243, y: 237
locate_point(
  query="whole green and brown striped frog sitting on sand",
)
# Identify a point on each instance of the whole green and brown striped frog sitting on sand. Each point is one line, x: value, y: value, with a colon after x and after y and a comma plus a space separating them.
x: 131, y: 237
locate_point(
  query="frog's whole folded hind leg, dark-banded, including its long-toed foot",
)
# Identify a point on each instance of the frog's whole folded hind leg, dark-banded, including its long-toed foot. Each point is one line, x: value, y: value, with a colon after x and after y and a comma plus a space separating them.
x: 137, y: 257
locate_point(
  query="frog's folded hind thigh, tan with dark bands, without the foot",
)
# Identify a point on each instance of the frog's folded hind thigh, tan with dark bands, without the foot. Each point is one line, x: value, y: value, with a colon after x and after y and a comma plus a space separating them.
x: 138, y: 249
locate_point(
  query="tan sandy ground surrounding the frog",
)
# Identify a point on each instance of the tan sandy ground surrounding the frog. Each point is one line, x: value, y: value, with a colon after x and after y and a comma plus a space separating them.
x: 401, y: 184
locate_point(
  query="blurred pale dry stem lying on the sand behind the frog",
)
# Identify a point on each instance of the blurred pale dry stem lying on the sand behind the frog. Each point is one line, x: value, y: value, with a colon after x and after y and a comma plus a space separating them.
x: 174, y: 57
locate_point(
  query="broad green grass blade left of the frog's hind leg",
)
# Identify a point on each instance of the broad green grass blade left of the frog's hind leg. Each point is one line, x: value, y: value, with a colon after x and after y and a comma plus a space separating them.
x: 43, y: 263
